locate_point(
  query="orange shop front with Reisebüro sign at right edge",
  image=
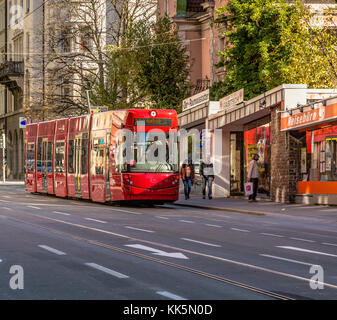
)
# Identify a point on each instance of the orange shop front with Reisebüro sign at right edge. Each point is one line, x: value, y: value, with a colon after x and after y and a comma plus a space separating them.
x: 315, y: 126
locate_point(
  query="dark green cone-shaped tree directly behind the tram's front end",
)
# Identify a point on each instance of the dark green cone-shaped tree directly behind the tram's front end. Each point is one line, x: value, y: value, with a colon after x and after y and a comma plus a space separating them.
x: 164, y: 72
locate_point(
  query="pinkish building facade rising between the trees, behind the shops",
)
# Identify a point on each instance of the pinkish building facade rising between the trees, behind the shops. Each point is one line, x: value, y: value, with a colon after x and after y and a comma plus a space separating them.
x: 194, y: 19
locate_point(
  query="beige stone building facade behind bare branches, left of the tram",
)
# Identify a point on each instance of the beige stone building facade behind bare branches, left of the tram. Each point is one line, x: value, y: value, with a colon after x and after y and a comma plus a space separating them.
x: 35, y: 35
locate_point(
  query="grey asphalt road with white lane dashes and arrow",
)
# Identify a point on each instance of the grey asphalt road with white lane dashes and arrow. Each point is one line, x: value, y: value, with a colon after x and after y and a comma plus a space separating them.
x: 75, y: 249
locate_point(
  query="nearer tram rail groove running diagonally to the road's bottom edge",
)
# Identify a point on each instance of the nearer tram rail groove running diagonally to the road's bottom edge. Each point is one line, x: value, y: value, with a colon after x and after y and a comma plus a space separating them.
x: 154, y: 259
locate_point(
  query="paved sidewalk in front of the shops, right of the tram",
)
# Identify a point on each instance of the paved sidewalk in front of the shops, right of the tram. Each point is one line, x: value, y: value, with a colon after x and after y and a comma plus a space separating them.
x: 263, y: 207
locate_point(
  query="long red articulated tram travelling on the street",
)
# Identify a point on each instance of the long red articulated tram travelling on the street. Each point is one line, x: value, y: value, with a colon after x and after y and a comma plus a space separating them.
x: 76, y: 157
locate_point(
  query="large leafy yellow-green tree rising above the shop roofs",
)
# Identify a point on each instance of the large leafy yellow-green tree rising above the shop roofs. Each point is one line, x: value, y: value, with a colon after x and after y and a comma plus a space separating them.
x: 270, y: 42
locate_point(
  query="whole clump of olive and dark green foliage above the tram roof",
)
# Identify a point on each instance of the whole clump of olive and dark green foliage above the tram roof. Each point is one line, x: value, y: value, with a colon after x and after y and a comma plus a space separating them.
x: 149, y: 67
